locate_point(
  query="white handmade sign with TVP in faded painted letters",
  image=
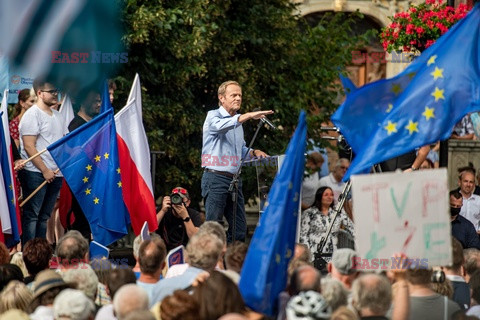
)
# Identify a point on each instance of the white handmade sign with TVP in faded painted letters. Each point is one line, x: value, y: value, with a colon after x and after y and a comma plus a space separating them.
x: 402, y: 213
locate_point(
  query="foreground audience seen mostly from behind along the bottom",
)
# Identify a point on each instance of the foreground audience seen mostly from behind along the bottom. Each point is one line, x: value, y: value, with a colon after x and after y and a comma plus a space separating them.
x: 67, y: 284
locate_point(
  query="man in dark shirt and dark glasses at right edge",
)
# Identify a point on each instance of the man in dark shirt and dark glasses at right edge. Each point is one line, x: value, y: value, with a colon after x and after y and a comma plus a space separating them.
x: 462, y: 229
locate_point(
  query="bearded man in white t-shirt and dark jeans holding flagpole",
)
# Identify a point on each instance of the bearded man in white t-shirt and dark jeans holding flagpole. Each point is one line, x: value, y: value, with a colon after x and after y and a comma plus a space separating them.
x: 40, y: 126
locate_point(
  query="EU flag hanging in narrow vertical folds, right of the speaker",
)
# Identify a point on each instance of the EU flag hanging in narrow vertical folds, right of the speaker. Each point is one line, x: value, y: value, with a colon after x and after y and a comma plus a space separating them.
x: 264, y: 272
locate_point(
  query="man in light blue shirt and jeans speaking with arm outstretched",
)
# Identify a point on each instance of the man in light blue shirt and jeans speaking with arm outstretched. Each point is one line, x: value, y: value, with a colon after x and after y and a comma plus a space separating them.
x: 223, y: 148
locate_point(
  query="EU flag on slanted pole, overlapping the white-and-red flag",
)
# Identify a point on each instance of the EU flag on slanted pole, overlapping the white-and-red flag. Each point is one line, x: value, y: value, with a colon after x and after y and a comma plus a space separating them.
x: 88, y: 159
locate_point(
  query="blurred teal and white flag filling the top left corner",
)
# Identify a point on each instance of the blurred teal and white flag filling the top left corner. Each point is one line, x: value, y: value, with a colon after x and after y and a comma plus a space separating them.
x: 77, y: 42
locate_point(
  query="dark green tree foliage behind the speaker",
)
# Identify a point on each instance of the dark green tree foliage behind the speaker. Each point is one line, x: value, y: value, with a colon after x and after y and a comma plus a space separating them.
x: 183, y: 49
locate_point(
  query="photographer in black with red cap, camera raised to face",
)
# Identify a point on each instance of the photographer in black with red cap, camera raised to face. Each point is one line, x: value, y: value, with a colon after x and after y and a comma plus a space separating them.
x: 177, y: 223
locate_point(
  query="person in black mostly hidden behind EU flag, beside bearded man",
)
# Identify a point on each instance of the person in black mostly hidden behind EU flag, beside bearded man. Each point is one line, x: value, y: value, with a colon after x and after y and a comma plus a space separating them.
x: 89, y: 108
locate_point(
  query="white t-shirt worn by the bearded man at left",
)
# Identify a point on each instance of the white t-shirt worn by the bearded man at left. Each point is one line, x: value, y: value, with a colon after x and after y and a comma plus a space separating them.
x: 47, y: 128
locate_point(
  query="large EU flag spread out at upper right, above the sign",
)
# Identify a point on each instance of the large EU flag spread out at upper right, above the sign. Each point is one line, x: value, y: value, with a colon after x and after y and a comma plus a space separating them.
x: 419, y: 106
